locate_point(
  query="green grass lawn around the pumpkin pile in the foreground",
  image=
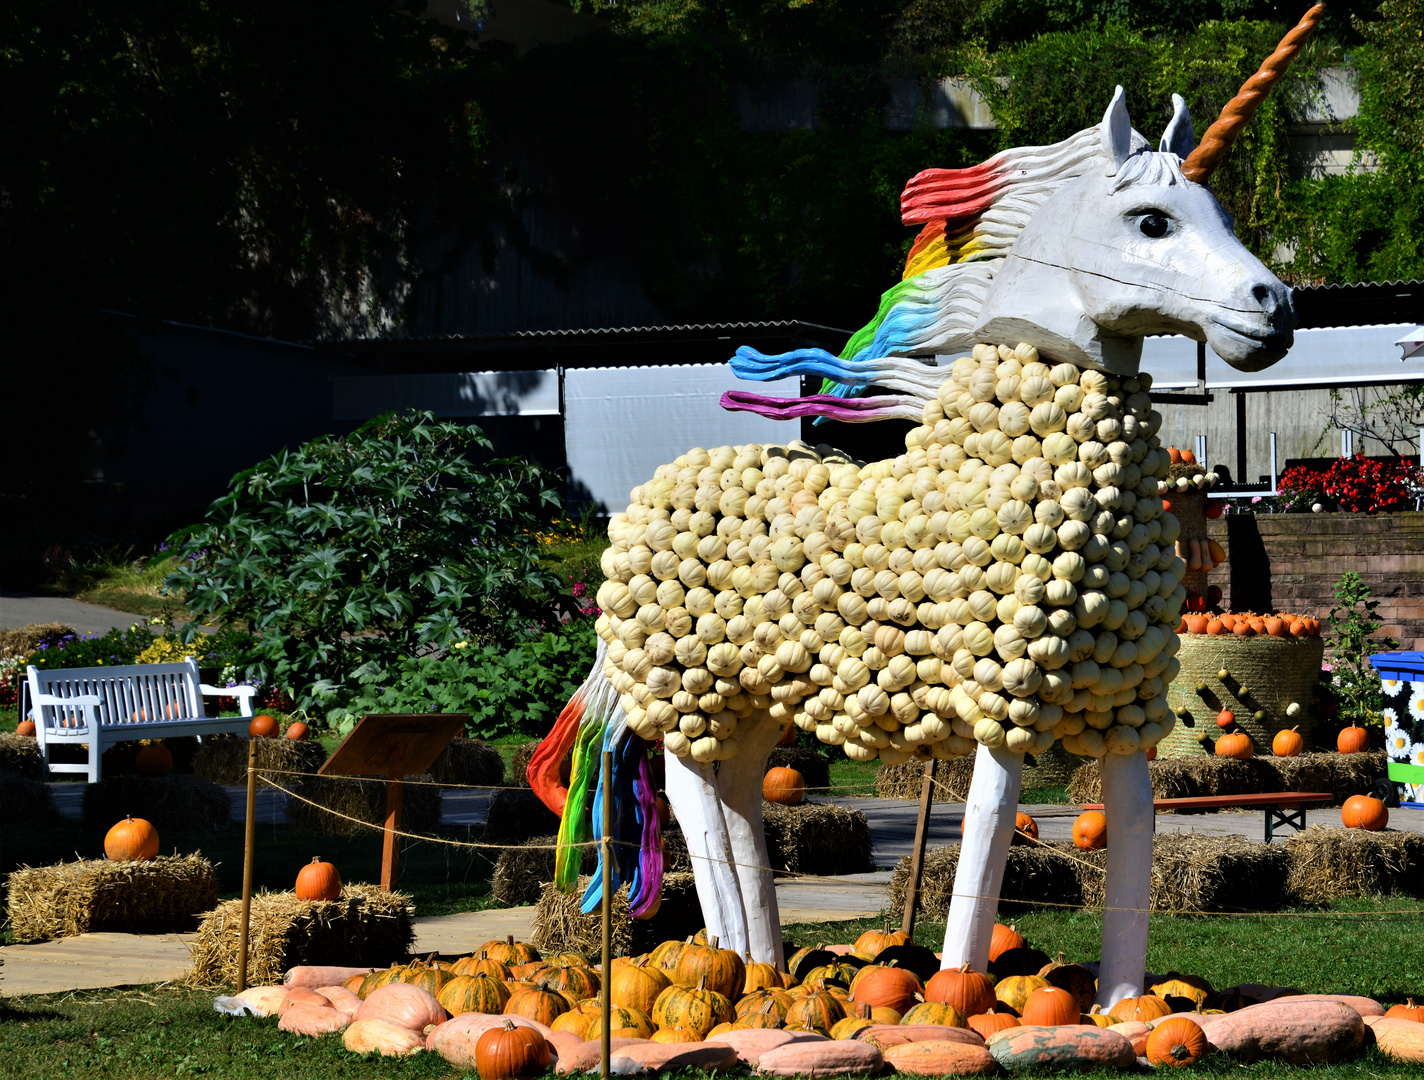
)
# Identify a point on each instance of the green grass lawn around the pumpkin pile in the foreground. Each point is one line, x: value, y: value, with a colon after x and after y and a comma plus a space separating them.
x: 160, y: 1032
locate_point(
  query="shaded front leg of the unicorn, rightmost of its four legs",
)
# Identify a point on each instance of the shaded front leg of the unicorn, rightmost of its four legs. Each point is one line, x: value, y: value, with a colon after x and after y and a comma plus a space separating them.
x: 1127, y: 797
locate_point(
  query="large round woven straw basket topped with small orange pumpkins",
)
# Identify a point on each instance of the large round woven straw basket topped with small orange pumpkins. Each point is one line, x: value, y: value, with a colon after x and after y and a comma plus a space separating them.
x: 1277, y: 673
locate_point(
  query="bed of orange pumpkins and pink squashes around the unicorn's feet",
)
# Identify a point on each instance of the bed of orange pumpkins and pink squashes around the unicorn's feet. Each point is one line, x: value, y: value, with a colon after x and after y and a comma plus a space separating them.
x: 881, y: 1004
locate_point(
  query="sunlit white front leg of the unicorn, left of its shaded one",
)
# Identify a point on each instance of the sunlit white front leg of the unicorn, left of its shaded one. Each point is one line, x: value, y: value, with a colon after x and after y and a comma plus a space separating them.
x: 989, y: 829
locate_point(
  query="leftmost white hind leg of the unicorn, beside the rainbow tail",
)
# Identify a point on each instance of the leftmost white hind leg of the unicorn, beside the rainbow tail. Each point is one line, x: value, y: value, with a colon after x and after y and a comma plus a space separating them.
x: 693, y: 791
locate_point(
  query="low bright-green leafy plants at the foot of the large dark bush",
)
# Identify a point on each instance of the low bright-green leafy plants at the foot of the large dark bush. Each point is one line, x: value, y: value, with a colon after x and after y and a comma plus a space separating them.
x: 506, y: 692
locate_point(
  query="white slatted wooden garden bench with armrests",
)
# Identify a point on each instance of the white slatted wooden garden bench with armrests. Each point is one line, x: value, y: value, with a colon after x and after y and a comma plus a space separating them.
x: 102, y: 706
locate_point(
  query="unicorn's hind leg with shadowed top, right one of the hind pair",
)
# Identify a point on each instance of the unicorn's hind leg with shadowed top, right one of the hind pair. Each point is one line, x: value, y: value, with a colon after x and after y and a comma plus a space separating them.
x: 740, y: 786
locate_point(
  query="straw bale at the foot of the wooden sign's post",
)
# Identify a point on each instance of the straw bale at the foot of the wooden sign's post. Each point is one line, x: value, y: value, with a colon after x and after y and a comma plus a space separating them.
x: 365, y: 927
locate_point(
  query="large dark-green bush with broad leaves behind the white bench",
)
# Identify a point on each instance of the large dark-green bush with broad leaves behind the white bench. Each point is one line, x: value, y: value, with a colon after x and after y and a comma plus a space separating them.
x: 355, y: 552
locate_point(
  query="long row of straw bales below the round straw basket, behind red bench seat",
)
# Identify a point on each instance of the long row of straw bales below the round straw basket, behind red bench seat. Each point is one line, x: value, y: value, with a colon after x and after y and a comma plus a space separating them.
x: 1184, y: 779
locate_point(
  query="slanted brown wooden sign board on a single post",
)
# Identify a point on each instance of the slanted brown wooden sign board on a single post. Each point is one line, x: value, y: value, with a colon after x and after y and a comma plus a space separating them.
x: 394, y: 746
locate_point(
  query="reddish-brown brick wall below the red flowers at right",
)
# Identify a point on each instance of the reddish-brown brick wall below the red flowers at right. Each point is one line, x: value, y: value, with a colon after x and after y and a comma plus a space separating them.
x: 1292, y: 564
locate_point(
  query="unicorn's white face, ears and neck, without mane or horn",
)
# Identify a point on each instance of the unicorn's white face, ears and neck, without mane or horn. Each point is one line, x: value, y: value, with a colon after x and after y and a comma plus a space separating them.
x: 1136, y: 249
